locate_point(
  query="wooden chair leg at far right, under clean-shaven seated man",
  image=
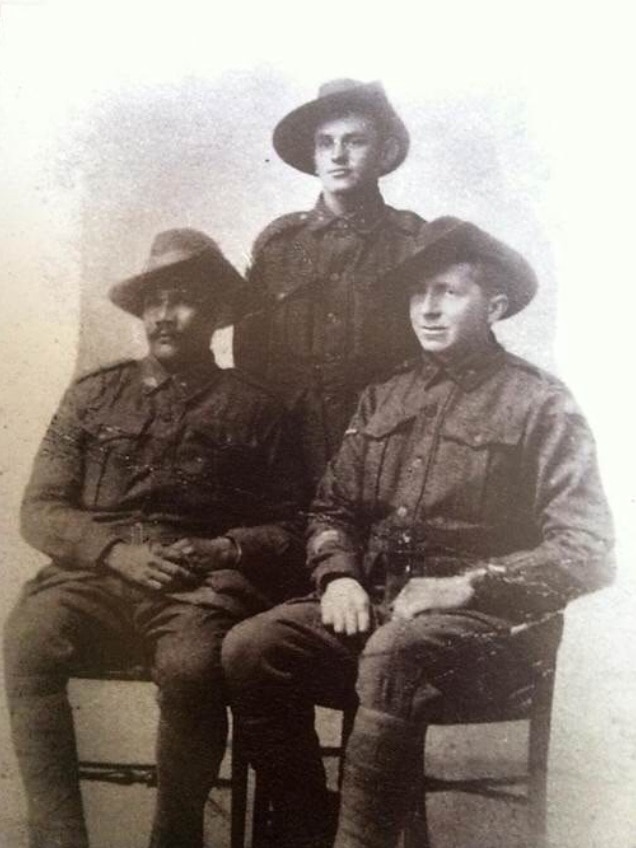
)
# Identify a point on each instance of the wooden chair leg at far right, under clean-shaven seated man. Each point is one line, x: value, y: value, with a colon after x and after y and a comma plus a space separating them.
x: 538, y: 750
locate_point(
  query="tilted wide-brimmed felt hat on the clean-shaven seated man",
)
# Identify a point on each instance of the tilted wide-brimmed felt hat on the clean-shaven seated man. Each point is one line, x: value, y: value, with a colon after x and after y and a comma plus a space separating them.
x: 449, y: 241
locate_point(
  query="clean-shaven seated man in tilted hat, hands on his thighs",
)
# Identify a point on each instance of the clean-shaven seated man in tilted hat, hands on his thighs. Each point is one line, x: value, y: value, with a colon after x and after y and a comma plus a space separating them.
x: 465, y: 501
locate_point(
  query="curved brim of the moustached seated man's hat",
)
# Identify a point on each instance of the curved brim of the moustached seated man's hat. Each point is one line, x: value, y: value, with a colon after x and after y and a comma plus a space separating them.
x: 214, y: 280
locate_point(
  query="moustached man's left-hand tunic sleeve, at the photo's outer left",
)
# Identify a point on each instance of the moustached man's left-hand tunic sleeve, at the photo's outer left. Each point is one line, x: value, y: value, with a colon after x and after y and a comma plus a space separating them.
x: 52, y: 518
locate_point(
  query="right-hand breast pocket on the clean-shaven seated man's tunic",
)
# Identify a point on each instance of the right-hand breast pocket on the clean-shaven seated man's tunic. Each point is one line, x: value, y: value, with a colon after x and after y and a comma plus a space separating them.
x: 477, y: 477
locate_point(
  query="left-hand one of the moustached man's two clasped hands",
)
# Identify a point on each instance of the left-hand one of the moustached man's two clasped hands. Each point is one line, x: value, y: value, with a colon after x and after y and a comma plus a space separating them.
x: 140, y: 564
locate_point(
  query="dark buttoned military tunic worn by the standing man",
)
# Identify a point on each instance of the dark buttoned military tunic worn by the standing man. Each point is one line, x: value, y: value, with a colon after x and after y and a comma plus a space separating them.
x: 320, y: 324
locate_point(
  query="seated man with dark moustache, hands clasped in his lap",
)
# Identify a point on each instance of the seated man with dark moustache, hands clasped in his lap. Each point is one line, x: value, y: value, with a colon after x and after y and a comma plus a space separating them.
x: 165, y: 494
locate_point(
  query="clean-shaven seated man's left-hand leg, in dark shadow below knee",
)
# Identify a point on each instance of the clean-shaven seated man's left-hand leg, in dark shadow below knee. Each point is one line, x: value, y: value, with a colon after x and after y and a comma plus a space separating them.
x: 278, y: 665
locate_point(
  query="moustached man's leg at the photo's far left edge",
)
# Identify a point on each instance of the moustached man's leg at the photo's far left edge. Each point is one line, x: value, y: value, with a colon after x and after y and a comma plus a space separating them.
x: 44, y: 637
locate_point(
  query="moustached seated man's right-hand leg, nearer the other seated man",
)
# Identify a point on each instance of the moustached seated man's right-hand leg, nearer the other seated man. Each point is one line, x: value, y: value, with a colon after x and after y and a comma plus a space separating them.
x: 192, y: 732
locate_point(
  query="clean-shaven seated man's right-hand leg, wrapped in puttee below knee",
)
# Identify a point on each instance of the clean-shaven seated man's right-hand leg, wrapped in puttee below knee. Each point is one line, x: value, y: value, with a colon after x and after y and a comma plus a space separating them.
x: 405, y: 669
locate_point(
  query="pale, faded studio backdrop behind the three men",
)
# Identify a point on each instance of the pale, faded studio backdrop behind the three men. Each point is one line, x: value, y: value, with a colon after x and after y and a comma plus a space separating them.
x: 128, y: 124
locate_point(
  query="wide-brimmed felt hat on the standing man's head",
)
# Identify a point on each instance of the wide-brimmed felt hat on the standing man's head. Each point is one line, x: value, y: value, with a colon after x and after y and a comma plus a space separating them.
x: 294, y: 136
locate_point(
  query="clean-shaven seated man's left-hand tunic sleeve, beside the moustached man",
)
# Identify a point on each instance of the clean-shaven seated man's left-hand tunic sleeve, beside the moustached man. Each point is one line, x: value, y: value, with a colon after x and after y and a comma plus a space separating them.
x: 338, y: 528
